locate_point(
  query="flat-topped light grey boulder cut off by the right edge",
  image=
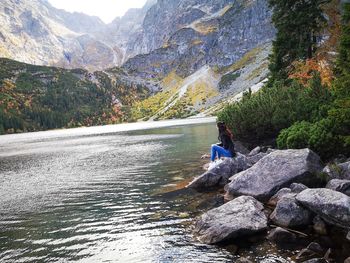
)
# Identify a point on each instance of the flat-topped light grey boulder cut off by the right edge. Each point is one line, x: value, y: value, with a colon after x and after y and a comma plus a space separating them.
x: 330, y: 205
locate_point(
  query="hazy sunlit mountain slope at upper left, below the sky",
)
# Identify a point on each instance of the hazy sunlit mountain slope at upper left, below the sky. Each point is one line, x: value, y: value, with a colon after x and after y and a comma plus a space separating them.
x: 37, y: 33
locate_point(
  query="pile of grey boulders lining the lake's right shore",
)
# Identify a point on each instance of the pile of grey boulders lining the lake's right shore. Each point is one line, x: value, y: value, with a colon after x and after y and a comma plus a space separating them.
x: 280, y: 194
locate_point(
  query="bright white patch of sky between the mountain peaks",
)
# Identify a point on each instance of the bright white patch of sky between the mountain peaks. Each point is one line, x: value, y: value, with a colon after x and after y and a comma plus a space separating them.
x: 107, y: 10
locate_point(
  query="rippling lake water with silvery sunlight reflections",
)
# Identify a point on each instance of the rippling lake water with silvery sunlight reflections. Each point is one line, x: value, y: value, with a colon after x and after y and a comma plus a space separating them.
x: 106, y: 194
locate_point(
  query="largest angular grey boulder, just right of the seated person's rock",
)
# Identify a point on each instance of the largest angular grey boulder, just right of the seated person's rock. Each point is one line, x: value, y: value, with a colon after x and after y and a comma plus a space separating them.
x: 275, y: 171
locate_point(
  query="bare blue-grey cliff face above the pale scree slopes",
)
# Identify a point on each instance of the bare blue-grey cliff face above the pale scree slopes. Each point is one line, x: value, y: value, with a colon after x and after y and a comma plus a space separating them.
x: 194, y: 41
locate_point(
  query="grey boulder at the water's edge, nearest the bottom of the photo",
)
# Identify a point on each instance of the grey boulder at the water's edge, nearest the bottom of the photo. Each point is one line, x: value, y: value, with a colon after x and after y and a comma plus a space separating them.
x: 239, y: 217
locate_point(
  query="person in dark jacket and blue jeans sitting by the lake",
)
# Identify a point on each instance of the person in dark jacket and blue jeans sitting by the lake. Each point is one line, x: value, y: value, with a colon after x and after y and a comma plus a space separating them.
x: 226, y: 147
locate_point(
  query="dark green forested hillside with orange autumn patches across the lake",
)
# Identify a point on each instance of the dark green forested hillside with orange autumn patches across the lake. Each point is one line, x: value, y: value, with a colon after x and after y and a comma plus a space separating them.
x: 38, y: 98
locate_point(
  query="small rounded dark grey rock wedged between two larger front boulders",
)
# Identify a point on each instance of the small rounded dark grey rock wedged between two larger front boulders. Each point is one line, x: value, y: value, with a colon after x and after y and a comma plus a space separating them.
x: 288, y: 213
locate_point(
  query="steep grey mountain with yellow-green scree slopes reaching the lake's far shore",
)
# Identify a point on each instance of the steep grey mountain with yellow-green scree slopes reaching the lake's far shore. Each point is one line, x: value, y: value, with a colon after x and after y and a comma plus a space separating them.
x: 209, y: 53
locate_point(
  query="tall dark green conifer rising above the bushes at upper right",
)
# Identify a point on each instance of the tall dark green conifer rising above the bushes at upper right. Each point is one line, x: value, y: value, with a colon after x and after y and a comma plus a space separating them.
x: 298, y: 23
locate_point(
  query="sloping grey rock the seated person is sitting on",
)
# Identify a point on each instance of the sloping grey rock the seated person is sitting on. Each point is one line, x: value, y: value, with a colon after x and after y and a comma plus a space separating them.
x: 219, y: 175
